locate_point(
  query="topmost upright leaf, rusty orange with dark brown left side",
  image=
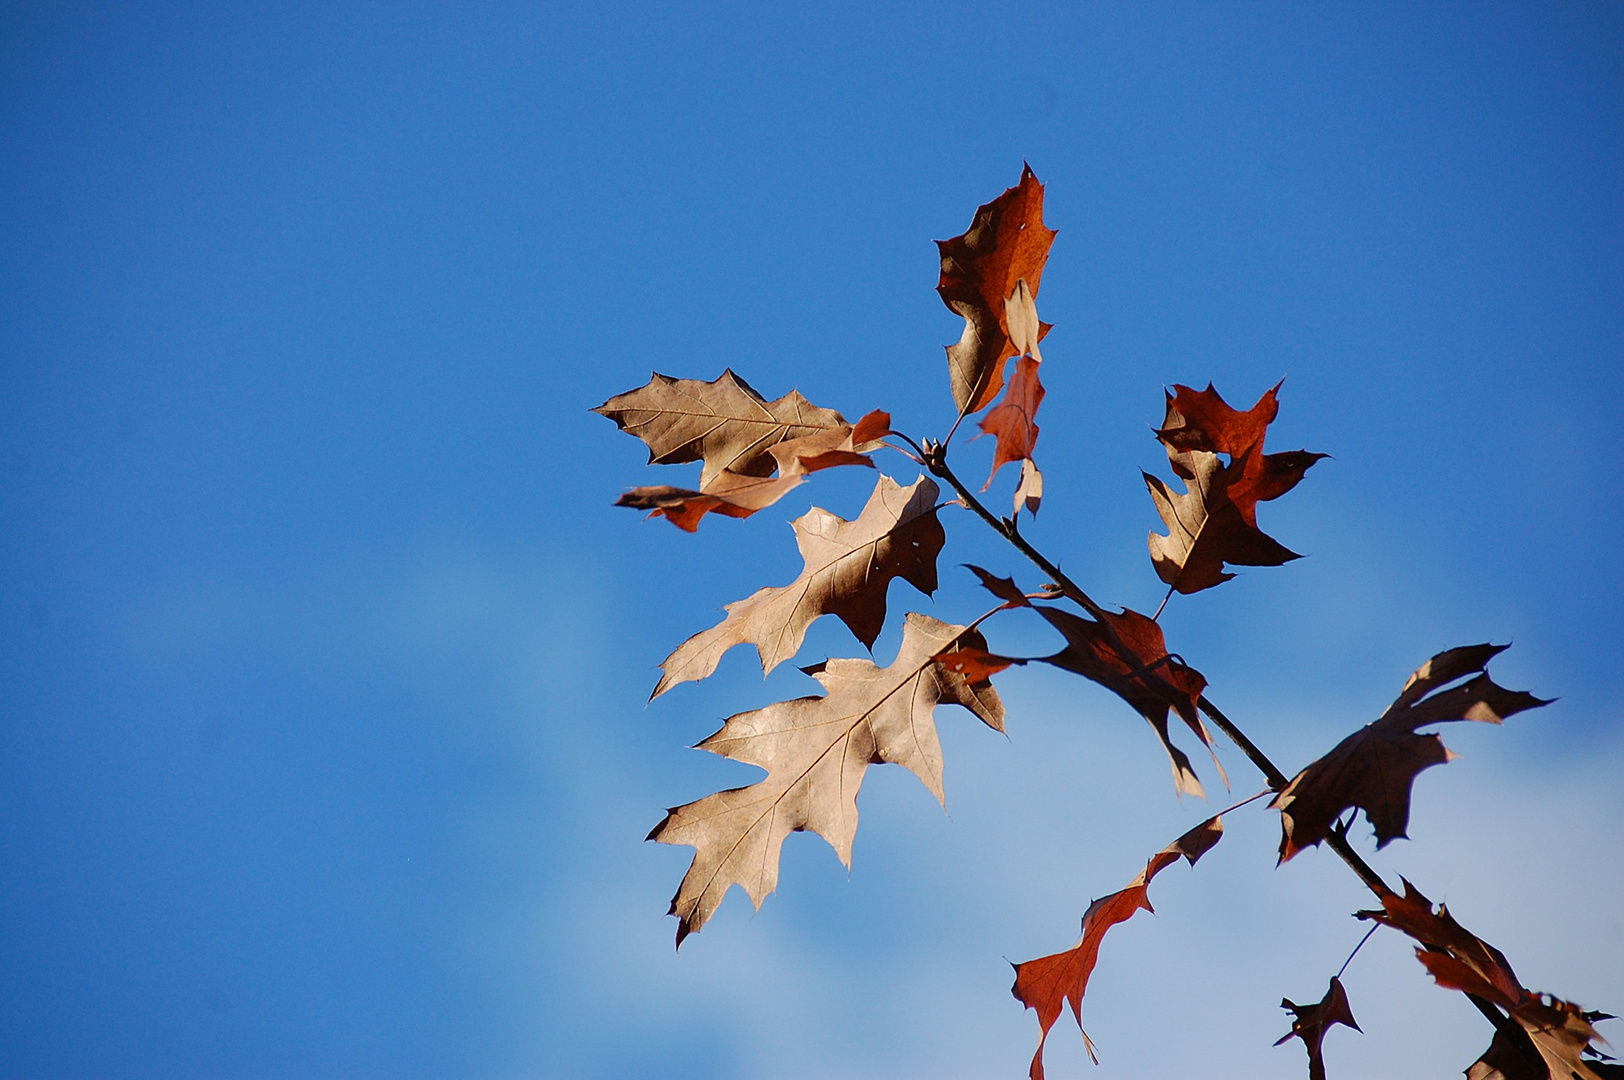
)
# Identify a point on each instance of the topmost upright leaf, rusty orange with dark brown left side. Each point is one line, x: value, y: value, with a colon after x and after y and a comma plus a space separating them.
x: 982, y: 272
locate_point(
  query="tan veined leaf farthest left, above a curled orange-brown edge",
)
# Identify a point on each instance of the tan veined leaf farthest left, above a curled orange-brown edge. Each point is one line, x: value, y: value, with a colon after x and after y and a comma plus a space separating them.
x: 727, y: 425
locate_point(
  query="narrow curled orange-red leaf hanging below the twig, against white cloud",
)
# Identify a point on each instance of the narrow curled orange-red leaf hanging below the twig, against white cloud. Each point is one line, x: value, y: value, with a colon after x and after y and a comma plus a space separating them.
x: 1050, y: 983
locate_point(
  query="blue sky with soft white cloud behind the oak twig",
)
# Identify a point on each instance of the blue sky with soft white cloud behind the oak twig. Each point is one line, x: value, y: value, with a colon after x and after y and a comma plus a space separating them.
x: 324, y: 748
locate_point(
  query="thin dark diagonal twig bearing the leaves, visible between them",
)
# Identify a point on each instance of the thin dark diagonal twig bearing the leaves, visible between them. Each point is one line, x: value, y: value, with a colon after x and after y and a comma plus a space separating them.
x: 935, y: 456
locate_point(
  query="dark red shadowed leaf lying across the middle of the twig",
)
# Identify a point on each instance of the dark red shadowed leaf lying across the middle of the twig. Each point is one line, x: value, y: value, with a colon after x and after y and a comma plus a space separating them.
x: 1152, y: 686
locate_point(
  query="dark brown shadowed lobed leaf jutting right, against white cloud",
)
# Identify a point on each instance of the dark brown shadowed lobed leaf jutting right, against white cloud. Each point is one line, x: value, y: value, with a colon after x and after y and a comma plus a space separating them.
x: 1375, y: 769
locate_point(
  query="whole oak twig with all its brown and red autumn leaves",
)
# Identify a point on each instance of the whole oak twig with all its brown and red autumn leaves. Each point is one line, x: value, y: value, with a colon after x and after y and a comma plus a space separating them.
x: 818, y: 750
